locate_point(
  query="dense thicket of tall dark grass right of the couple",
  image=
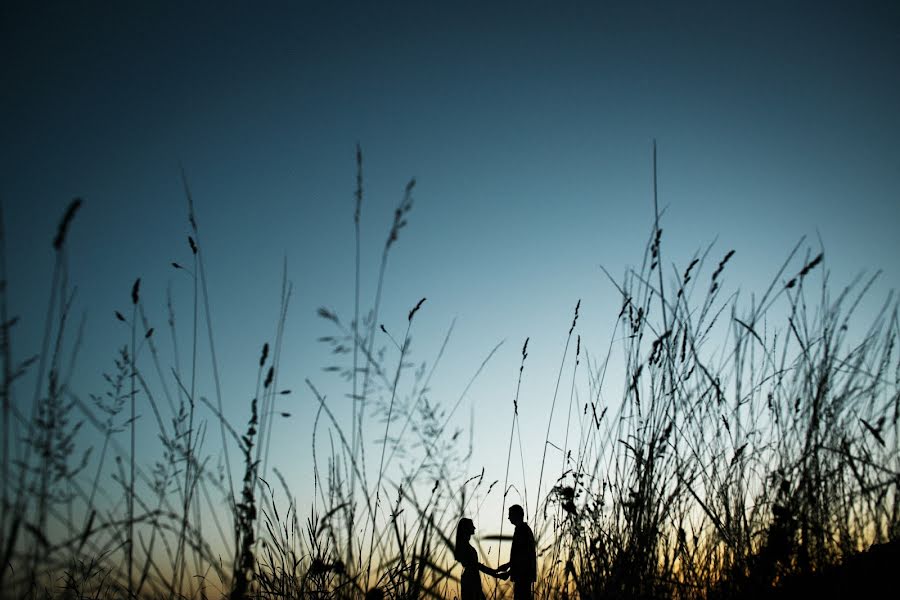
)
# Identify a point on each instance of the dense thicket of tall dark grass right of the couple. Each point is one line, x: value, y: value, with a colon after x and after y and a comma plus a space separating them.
x: 741, y: 454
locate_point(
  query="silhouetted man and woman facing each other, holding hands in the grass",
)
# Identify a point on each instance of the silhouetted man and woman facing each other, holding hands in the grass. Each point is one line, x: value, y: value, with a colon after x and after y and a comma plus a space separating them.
x: 521, y: 568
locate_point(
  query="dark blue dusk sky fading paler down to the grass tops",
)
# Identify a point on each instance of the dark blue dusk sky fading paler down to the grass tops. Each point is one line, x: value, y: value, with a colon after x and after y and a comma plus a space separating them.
x: 528, y: 126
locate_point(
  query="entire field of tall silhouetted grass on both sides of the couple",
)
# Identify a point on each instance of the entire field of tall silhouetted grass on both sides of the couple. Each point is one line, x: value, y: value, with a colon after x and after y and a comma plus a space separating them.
x: 715, y: 449
